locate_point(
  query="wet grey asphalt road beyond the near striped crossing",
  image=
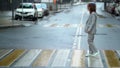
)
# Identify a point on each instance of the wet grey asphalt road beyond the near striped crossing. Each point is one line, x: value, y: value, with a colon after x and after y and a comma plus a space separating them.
x: 64, y: 30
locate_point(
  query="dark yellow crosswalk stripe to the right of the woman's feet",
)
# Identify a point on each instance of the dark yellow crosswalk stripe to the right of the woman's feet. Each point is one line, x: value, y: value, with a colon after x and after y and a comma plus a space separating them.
x: 111, y: 59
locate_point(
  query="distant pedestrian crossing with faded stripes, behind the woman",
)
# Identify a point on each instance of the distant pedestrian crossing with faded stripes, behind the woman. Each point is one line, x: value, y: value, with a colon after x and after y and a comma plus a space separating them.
x: 52, y: 25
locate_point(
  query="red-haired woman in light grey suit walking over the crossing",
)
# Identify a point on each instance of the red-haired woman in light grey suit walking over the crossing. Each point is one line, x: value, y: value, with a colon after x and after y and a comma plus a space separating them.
x: 90, y: 28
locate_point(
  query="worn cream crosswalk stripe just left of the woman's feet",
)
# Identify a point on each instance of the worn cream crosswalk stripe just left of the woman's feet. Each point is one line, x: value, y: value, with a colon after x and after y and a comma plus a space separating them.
x: 78, y: 59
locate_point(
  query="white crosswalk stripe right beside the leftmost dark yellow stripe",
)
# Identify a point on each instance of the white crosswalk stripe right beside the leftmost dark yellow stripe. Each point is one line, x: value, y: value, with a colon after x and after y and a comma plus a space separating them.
x: 28, y: 58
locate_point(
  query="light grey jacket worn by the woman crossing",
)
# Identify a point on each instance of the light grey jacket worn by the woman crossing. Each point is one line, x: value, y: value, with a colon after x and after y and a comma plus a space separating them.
x: 90, y: 26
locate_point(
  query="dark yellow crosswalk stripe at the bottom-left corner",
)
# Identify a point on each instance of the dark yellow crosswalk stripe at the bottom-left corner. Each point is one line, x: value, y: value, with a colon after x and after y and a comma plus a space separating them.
x: 8, y: 60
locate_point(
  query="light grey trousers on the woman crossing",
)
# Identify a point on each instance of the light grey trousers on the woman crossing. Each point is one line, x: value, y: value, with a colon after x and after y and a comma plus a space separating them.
x: 92, y: 48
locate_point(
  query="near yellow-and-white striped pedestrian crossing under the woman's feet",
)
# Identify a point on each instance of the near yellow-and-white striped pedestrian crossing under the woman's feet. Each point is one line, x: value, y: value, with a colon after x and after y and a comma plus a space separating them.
x: 58, y: 58
